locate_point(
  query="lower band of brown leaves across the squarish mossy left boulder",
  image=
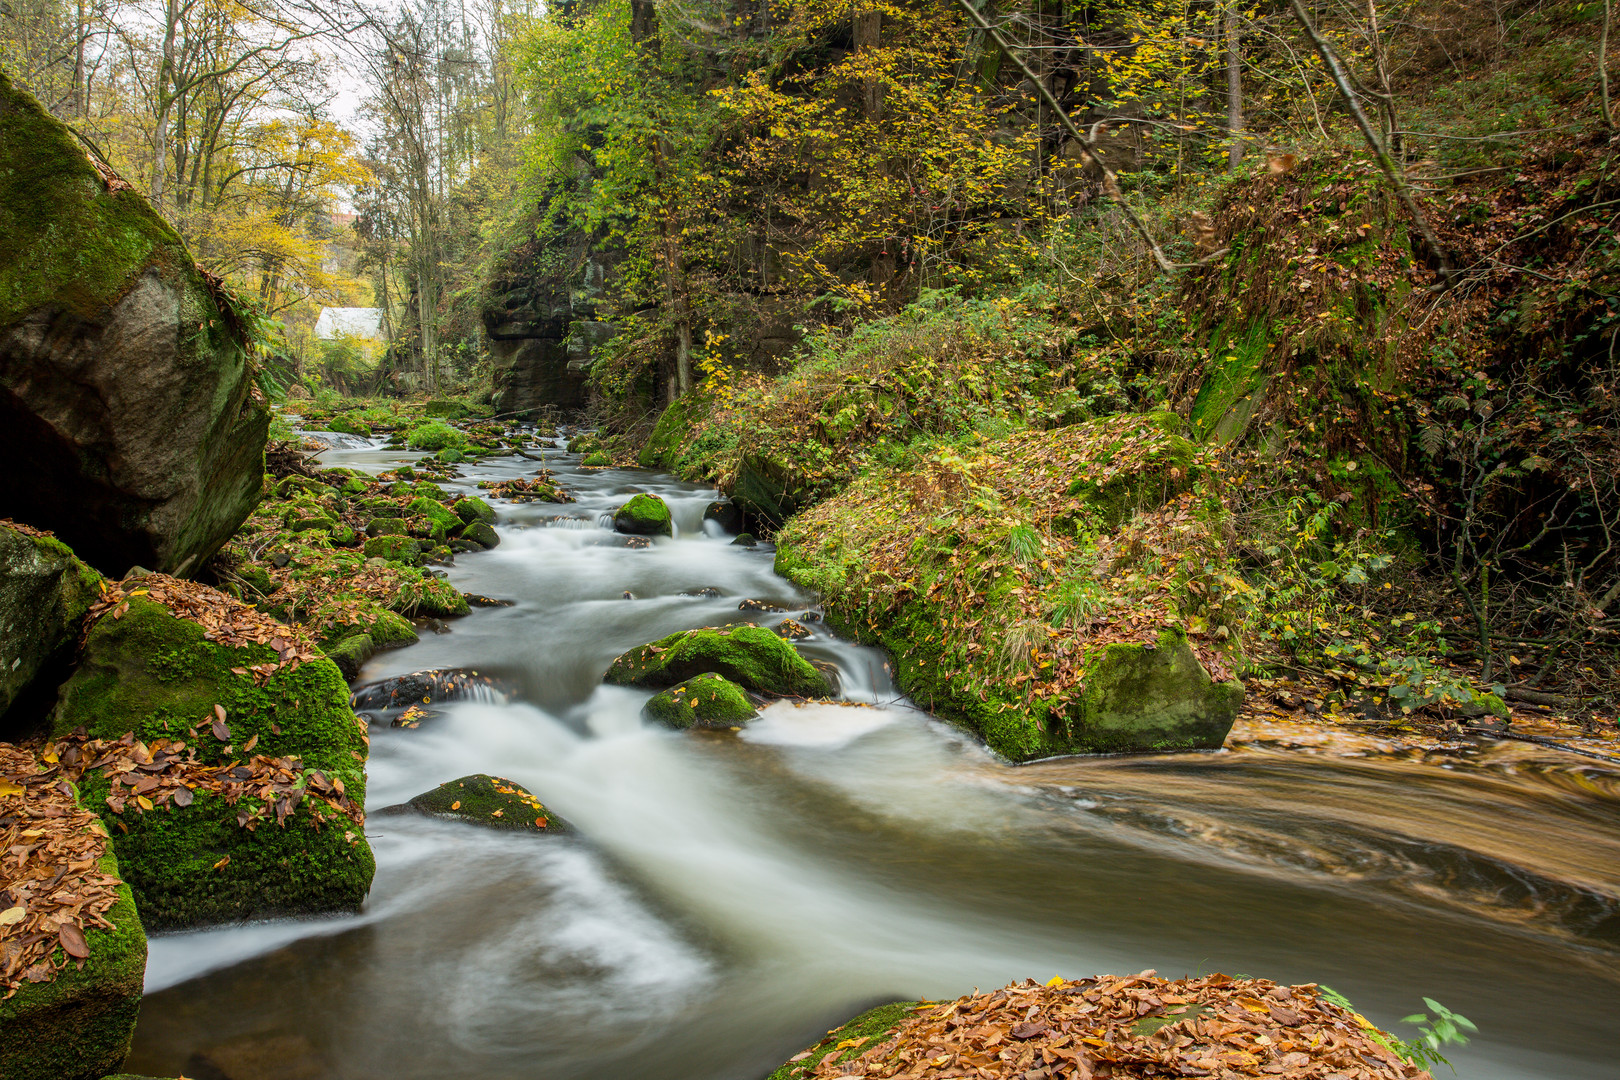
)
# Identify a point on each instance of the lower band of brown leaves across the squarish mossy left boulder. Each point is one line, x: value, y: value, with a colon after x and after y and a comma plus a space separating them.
x: 169, y: 773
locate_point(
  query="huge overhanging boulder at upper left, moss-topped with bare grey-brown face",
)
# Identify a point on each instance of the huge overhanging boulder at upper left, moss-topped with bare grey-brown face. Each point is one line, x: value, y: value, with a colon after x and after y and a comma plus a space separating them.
x: 127, y: 412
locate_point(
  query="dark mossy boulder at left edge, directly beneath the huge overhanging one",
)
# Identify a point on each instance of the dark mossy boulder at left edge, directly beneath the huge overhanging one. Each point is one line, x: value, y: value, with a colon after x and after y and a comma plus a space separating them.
x: 45, y: 597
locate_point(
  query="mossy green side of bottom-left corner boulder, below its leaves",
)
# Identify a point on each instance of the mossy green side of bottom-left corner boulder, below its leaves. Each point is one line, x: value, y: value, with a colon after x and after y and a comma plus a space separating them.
x: 80, y: 1026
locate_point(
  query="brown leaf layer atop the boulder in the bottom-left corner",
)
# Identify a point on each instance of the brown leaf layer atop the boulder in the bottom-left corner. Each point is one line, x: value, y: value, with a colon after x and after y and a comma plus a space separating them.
x: 53, y: 888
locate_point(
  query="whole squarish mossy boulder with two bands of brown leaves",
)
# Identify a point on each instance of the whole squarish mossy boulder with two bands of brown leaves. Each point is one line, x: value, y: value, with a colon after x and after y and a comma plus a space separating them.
x: 281, y: 831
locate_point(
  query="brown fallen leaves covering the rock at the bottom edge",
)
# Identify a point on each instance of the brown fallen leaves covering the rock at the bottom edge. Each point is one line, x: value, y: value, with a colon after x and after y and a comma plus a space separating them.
x: 1135, y: 1026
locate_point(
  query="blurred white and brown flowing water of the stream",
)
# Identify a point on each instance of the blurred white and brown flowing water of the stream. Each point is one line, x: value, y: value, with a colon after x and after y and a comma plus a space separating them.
x: 730, y: 898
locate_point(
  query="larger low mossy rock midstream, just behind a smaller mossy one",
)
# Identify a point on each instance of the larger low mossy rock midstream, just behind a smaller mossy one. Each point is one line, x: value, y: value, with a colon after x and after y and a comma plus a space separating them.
x: 751, y: 657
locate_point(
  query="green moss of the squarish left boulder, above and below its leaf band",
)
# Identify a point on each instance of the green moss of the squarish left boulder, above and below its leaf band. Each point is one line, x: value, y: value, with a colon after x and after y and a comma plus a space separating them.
x: 155, y: 674
